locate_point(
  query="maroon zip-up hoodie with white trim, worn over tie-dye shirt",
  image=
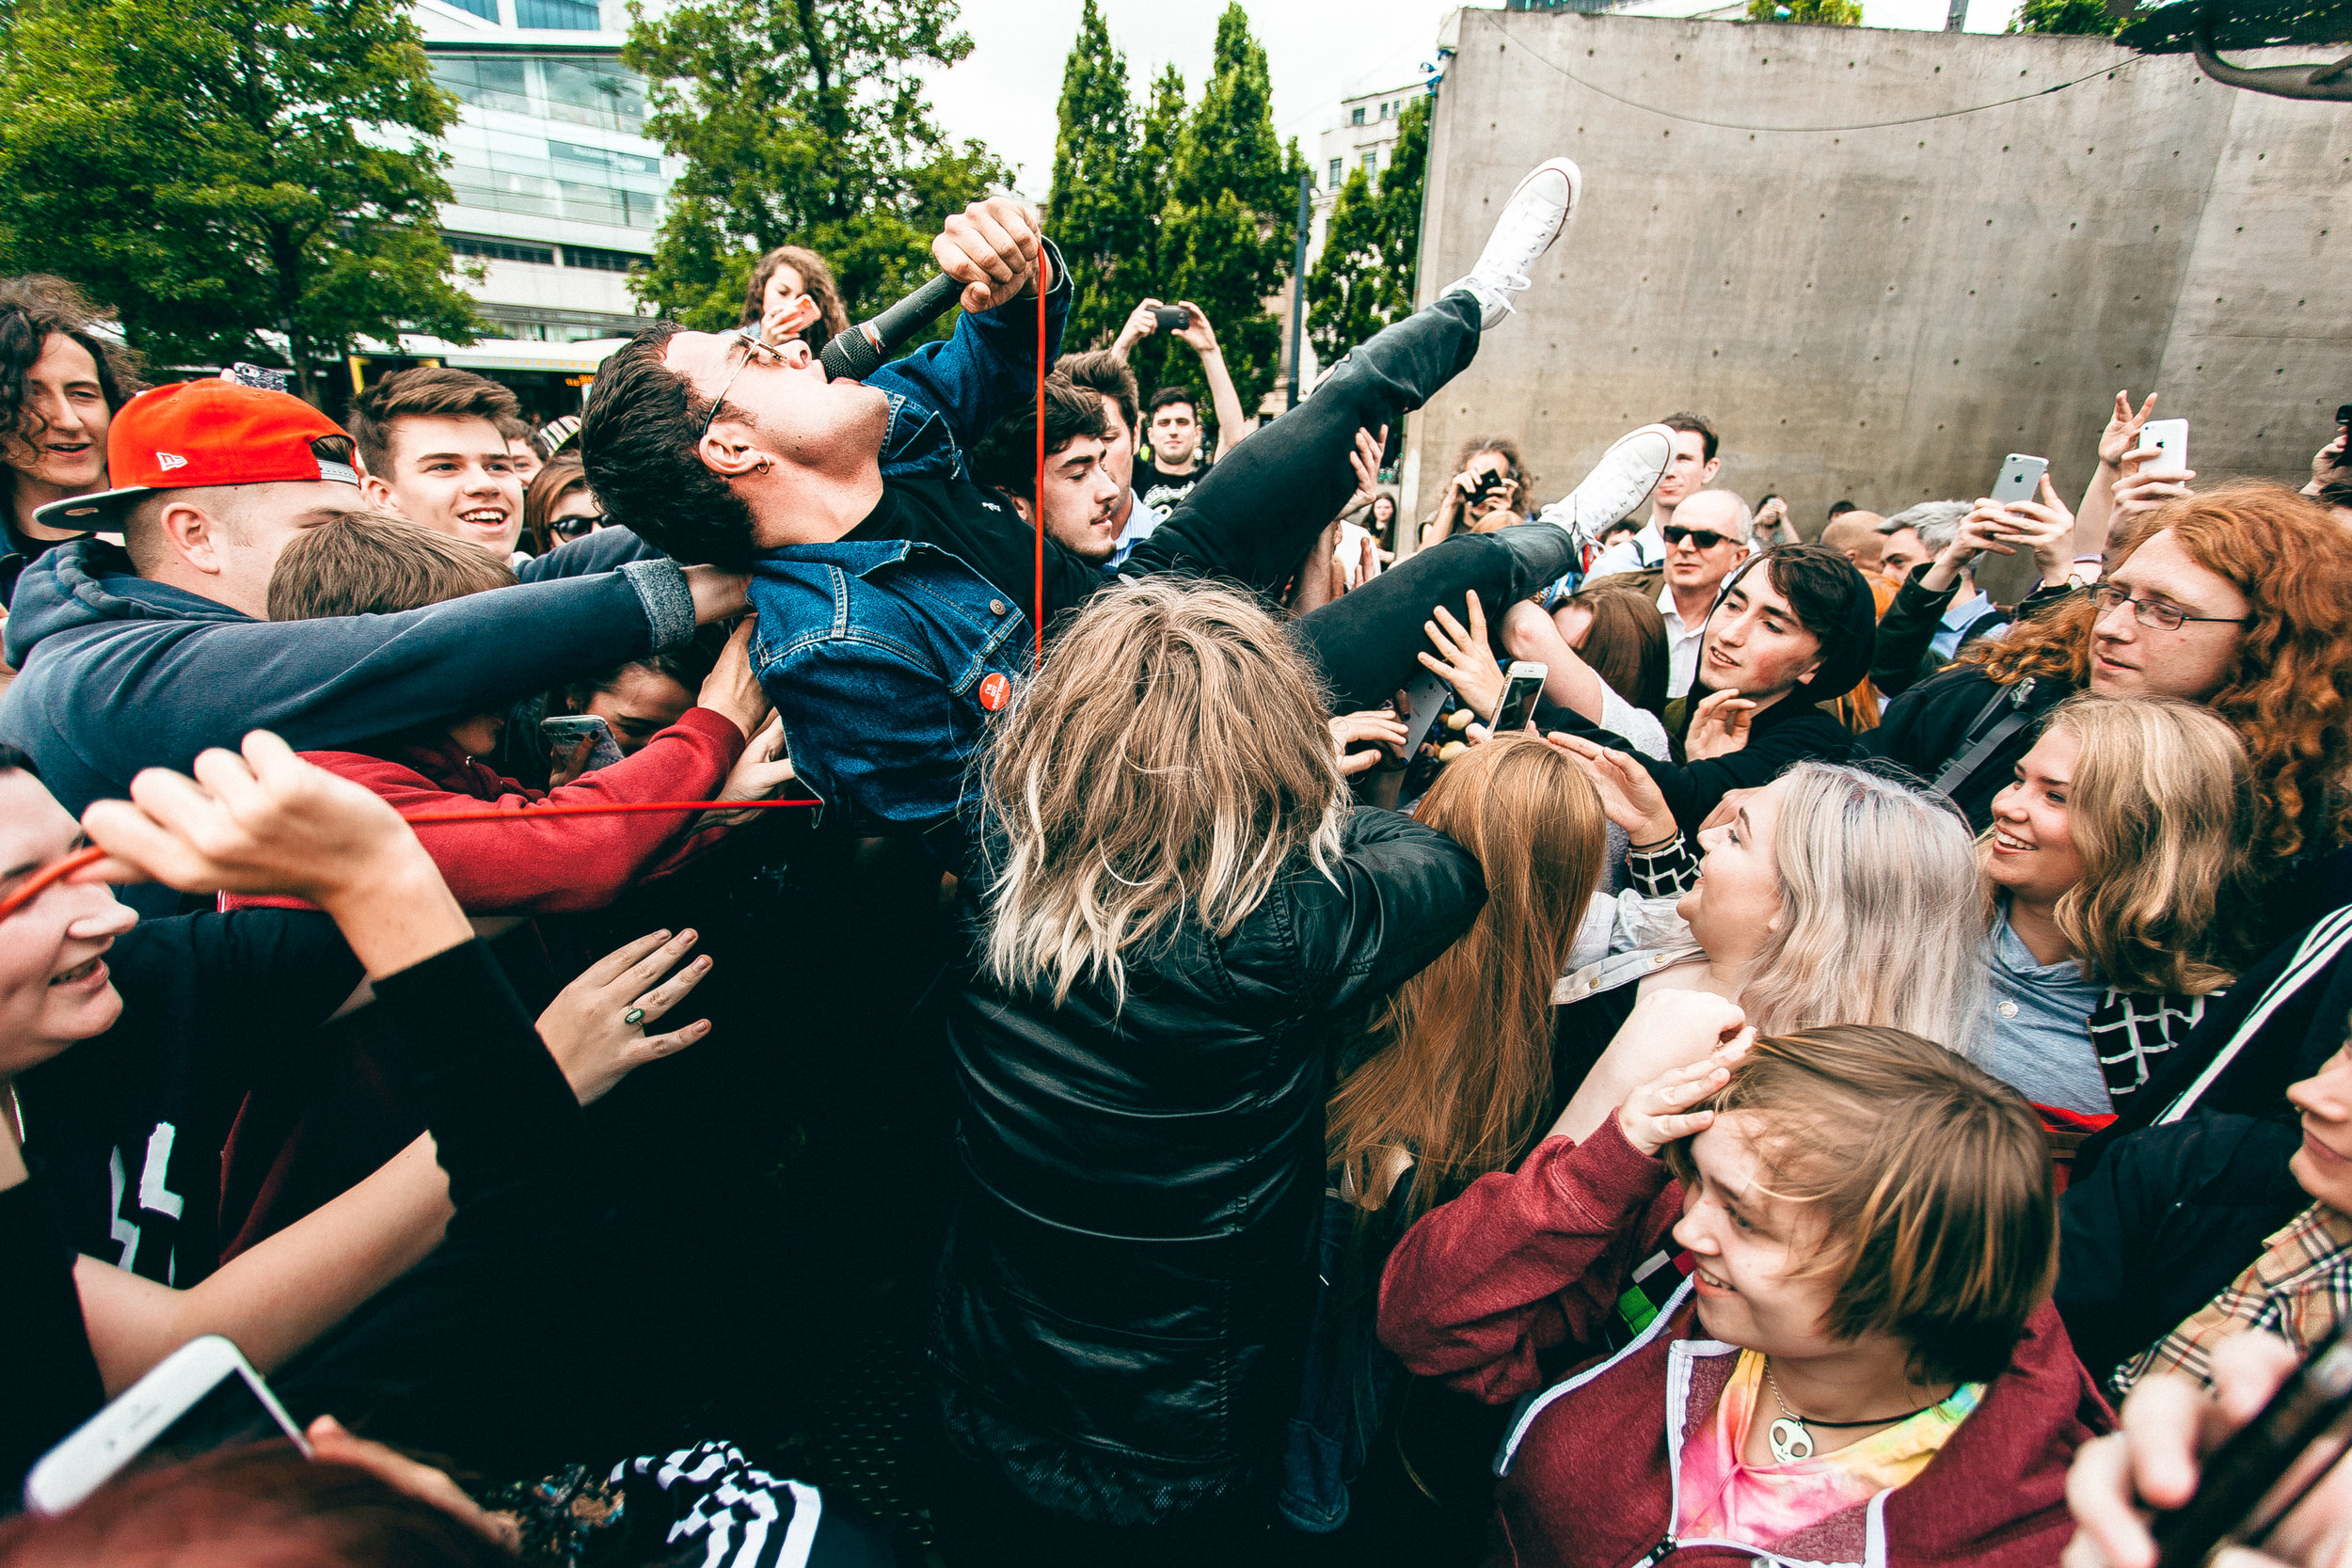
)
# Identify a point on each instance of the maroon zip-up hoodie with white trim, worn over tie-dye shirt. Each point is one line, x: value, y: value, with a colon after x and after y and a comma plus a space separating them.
x: 1530, y: 1261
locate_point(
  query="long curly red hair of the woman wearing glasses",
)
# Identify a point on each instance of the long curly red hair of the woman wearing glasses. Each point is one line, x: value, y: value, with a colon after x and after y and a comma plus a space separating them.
x: 2292, y: 683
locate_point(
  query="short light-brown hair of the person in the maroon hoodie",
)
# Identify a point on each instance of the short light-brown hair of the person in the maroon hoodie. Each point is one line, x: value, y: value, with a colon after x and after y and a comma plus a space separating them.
x: 1932, y: 1184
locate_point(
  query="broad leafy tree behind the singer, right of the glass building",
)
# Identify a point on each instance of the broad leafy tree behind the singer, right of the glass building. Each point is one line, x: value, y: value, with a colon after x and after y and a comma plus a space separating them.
x: 801, y: 123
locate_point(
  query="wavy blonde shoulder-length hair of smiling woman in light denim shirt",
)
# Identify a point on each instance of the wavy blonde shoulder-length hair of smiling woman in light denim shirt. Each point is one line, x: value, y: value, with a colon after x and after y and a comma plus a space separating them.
x: 2160, y: 812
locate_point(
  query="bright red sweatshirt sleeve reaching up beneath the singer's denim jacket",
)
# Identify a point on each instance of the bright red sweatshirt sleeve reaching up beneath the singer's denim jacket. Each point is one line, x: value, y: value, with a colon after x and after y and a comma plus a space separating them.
x: 552, y: 864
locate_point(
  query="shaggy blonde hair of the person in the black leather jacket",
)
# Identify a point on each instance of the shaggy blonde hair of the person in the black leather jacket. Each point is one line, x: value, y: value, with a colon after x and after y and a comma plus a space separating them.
x: 1168, y: 765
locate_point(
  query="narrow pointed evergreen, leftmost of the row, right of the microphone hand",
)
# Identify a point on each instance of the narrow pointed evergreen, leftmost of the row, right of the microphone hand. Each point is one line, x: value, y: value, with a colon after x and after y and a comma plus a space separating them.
x: 1097, y: 208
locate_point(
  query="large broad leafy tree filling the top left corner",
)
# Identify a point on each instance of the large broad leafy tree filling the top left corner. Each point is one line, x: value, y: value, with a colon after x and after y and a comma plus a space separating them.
x: 232, y: 168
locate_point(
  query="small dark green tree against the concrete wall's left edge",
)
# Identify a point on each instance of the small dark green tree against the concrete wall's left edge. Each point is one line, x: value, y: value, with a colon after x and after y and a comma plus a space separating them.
x: 1372, y: 246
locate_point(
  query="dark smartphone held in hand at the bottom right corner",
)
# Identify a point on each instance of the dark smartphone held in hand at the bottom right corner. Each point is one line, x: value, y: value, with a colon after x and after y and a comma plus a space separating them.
x: 2254, y: 1480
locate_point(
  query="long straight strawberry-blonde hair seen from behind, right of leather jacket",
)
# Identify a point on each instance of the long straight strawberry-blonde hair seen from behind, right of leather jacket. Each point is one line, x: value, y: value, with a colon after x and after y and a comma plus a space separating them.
x: 1462, y: 1066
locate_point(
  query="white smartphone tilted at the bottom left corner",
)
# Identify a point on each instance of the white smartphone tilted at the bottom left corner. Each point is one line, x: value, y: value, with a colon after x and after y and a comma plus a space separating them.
x: 206, y: 1395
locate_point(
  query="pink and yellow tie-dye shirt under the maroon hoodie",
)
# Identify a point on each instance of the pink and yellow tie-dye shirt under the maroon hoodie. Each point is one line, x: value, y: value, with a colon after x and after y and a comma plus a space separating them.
x: 1723, y: 1499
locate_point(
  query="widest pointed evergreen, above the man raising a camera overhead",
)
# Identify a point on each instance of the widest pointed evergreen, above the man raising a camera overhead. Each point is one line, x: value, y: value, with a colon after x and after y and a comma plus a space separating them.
x: 1227, y: 220
